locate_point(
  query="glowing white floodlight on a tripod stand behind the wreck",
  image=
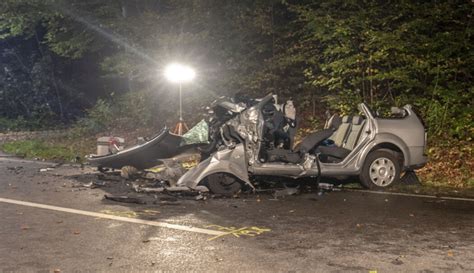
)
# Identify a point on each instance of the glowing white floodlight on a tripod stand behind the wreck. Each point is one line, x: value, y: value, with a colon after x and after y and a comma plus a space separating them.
x: 177, y: 73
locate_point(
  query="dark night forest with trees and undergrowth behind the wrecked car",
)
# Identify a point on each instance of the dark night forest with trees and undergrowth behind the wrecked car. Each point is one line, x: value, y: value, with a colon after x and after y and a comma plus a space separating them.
x: 96, y: 66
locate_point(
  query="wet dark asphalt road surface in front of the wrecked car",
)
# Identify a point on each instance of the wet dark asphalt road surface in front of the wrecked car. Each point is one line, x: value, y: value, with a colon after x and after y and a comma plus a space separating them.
x: 339, y: 231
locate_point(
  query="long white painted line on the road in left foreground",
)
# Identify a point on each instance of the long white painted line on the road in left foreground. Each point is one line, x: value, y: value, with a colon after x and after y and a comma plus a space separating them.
x: 113, y: 217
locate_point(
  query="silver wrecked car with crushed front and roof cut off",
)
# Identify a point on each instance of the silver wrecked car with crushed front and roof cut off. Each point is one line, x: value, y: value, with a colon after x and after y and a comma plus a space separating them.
x: 250, y: 138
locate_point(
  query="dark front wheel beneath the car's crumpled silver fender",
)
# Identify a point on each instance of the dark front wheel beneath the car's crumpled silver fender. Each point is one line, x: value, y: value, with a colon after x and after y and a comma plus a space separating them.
x: 223, y: 183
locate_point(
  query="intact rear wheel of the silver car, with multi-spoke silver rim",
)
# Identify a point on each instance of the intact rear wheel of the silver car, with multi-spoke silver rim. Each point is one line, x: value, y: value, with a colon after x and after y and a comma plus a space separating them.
x: 381, y: 170
